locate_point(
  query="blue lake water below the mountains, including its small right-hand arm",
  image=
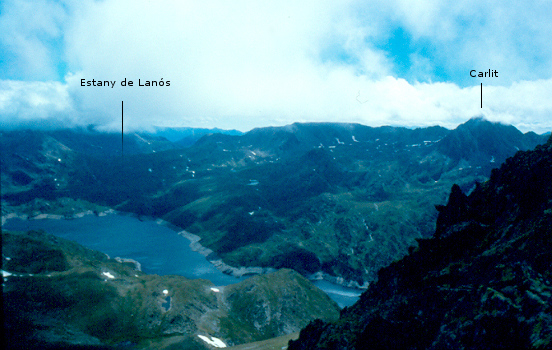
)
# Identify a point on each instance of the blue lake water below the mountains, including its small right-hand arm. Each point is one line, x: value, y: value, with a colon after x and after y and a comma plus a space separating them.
x: 159, y: 249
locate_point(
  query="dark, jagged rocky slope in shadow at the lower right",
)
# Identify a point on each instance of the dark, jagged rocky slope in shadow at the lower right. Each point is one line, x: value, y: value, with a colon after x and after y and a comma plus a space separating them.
x: 483, y: 281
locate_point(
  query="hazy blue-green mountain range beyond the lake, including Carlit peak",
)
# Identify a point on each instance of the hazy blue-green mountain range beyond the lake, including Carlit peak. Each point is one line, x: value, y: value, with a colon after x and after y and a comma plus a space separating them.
x: 342, y: 200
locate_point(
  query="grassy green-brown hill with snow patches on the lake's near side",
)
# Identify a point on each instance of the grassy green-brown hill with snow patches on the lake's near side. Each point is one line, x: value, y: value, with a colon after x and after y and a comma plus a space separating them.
x: 58, y: 294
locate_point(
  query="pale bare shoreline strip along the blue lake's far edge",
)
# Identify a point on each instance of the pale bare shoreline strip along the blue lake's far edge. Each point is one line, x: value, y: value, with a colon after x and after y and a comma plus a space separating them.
x: 194, y: 239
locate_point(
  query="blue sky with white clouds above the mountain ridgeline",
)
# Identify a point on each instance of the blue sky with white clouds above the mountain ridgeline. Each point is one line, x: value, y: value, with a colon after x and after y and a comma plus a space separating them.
x: 248, y: 64
